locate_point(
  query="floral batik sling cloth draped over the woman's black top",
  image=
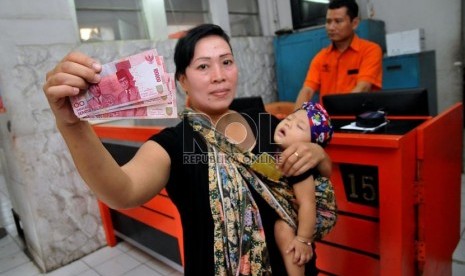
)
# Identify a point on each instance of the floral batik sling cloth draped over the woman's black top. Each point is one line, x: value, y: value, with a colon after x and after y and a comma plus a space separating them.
x: 239, y: 241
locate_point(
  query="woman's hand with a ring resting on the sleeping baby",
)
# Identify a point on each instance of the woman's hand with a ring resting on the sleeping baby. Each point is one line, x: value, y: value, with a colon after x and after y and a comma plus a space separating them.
x: 302, y: 156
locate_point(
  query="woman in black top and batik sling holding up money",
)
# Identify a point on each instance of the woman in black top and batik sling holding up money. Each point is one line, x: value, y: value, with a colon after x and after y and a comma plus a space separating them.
x: 202, y: 162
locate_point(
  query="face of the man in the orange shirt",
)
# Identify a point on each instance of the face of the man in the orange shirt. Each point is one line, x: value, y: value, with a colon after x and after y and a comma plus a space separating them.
x: 339, y: 26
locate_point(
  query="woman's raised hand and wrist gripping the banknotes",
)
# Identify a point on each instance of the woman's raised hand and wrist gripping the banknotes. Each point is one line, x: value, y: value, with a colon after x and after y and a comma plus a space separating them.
x: 71, y: 75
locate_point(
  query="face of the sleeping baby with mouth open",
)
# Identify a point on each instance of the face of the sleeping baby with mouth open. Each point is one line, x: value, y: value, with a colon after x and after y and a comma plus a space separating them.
x: 293, y: 128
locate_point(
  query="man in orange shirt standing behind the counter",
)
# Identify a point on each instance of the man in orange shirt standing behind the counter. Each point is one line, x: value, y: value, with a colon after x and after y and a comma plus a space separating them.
x: 349, y: 64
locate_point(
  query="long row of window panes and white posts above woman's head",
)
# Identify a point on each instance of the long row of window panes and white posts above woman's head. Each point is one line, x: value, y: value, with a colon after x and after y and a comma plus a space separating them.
x: 100, y: 20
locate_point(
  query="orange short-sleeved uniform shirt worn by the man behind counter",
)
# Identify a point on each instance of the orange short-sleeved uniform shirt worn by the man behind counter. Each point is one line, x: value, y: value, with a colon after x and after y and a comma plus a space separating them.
x: 333, y: 72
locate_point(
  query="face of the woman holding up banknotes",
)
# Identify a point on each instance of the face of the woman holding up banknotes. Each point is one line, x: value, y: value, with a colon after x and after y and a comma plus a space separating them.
x: 211, y: 77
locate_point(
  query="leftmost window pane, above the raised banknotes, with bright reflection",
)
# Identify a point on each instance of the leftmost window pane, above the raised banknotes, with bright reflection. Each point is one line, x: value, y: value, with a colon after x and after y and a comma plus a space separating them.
x: 110, y: 20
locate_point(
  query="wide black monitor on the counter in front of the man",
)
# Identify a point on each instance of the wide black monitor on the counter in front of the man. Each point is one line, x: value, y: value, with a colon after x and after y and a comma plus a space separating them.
x: 400, y: 102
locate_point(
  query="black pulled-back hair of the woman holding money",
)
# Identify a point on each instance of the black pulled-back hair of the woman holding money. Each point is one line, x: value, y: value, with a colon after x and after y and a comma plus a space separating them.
x: 184, y: 51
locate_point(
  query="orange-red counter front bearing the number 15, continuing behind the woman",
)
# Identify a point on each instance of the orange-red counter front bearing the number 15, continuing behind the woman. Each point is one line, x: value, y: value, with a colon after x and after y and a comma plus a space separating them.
x: 398, y: 199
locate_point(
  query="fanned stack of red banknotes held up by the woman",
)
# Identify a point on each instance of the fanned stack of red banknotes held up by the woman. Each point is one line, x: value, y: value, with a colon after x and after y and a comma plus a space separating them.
x: 136, y: 87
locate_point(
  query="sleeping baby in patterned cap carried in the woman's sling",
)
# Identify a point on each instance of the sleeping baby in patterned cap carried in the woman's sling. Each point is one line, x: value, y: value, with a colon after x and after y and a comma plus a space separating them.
x: 309, y: 123
